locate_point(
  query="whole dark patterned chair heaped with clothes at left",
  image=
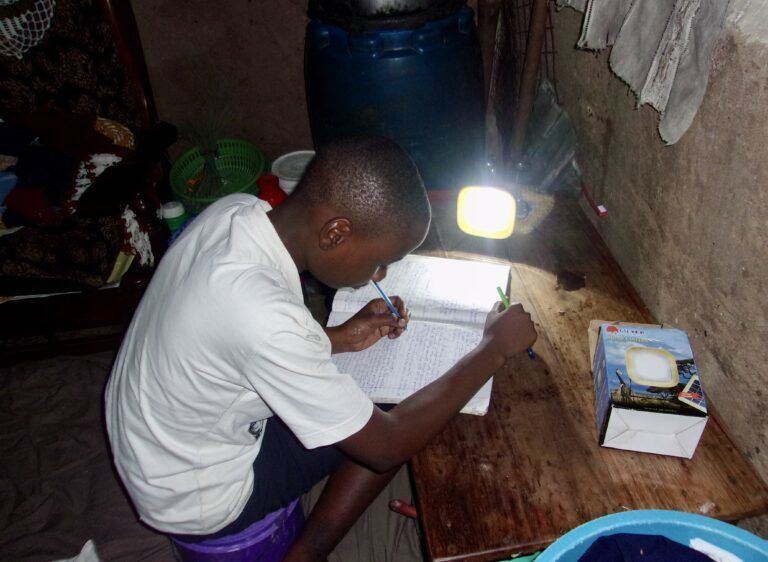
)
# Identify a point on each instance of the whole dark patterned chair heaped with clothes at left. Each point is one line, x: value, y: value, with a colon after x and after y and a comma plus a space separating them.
x: 82, y: 174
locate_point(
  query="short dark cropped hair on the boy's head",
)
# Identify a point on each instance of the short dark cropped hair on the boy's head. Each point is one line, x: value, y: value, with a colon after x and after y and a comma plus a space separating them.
x: 371, y: 180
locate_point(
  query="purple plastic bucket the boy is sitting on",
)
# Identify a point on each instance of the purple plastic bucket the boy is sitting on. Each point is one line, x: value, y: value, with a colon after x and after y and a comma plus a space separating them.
x: 267, y: 540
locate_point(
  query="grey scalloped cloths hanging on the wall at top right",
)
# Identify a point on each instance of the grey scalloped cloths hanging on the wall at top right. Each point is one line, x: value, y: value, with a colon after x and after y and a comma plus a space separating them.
x: 661, y: 49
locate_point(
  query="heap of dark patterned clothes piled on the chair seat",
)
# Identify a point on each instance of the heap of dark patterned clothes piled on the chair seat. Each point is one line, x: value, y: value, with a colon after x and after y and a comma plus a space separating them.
x: 75, y: 232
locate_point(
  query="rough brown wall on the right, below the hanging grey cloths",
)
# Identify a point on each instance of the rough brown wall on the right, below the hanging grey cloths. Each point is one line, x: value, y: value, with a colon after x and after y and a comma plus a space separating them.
x: 687, y: 223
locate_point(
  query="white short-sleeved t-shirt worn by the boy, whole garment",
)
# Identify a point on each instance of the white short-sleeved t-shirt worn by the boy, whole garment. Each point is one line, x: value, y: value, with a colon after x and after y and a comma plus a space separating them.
x: 221, y: 340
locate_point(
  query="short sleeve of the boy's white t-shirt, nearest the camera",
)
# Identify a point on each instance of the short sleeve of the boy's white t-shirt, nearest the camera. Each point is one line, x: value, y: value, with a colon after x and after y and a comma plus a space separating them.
x: 286, y: 357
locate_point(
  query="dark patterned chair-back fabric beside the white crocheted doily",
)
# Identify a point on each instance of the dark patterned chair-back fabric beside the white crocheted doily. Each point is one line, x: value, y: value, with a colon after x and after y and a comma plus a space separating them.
x: 75, y: 68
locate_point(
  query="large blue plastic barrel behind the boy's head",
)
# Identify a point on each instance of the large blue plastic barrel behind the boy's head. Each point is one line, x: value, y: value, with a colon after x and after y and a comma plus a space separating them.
x: 422, y: 88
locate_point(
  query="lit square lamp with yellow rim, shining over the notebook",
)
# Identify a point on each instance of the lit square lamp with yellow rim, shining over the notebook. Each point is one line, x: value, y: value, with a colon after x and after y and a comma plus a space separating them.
x: 486, y: 211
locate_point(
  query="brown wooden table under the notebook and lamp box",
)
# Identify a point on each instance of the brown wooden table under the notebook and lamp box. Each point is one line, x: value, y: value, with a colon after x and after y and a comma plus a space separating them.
x: 516, y: 479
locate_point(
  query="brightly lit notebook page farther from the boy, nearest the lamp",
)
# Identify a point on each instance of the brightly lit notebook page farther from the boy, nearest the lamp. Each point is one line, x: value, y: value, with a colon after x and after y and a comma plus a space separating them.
x: 454, y: 291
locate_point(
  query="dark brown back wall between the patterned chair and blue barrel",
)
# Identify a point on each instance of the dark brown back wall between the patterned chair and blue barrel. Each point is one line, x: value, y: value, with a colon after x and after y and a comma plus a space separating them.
x: 245, y: 55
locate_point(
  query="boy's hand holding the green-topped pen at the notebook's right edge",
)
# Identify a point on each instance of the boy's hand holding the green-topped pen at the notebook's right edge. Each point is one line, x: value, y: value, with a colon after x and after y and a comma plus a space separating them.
x: 508, y: 332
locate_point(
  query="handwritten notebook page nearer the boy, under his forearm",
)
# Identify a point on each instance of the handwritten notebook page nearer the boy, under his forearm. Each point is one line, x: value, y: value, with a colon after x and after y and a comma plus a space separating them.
x: 391, y: 370
